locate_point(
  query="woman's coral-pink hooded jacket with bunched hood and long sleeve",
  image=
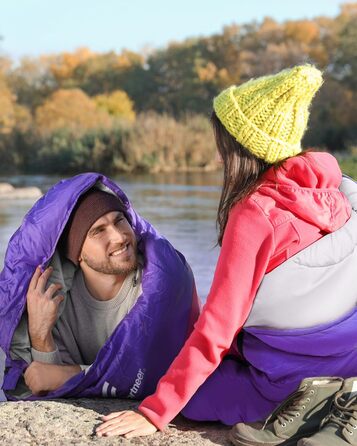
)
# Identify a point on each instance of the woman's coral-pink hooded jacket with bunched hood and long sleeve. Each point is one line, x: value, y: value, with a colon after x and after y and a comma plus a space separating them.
x: 293, y: 207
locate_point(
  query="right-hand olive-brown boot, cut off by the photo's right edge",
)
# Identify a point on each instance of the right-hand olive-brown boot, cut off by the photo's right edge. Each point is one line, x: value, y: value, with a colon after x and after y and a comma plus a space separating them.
x: 339, y: 428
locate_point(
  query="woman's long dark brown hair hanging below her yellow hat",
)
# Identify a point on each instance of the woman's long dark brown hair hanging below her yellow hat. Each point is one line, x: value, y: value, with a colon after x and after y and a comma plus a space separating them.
x: 242, y: 173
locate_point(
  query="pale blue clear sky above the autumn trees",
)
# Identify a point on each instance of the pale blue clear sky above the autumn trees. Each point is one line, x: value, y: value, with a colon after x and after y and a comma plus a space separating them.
x: 34, y: 27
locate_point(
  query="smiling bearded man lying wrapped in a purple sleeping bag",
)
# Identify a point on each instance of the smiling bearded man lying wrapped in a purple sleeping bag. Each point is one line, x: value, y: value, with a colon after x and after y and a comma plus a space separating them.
x: 93, y: 301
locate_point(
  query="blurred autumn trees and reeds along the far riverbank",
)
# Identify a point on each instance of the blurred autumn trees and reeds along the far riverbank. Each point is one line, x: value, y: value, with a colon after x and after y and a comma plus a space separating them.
x: 111, y: 112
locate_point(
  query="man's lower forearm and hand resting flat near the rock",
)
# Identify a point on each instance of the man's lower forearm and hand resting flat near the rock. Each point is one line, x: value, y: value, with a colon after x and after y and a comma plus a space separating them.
x: 41, y: 377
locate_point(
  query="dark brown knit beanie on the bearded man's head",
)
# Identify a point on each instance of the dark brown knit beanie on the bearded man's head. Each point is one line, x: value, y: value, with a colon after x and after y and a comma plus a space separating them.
x: 90, y: 206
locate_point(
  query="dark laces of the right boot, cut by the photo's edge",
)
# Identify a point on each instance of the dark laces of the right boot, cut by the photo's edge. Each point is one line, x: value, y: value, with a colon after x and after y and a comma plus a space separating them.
x: 343, y: 413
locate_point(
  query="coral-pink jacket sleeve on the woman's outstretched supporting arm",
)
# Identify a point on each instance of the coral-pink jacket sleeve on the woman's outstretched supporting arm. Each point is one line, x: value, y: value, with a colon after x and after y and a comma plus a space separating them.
x: 247, y: 246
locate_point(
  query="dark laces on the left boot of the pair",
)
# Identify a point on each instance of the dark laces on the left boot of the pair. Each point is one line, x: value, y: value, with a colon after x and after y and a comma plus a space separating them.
x: 290, y: 408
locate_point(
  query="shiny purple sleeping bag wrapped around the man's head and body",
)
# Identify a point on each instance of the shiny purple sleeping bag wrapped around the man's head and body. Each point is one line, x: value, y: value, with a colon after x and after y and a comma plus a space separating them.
x: 144, y: 343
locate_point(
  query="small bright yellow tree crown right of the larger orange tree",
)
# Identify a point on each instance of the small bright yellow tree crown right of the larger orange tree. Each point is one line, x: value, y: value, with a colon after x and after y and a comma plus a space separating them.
x: 117, y: 104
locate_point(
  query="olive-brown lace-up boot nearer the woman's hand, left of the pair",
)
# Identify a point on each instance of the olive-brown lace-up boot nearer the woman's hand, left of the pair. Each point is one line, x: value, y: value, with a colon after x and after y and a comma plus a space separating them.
x: 298, y: 416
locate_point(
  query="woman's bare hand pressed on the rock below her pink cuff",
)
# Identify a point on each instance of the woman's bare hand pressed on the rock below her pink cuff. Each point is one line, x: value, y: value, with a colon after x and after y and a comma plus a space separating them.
x: 128, y: 423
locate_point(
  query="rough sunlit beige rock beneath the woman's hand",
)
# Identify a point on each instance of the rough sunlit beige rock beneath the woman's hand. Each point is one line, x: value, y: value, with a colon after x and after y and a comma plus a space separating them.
x: 73, y: 421
